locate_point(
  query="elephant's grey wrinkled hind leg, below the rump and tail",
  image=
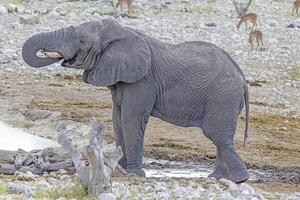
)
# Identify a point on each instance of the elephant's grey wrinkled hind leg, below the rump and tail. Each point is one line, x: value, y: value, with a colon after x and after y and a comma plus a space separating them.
x: 219, y: 125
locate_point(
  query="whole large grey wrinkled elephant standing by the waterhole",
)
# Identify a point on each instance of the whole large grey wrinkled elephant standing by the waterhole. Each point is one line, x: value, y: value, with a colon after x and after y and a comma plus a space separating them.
x: 192, y: 84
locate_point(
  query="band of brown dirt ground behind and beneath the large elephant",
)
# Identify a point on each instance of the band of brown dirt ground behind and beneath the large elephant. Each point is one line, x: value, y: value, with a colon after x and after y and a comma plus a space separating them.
x: 273, y: 141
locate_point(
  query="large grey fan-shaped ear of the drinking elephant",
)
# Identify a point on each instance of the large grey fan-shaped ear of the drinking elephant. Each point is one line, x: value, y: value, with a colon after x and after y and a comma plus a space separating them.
x: 124, y: 57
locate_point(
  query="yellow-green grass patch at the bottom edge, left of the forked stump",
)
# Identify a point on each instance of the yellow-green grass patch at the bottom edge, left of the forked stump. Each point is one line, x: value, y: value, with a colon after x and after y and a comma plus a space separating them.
x: 76, y: 191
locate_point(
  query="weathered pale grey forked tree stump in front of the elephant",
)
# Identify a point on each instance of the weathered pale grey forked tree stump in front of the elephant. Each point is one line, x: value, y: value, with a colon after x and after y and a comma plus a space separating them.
x: 96, y: 176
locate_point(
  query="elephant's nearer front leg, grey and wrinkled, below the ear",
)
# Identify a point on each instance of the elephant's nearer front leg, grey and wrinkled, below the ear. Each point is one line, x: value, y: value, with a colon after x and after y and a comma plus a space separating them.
x: 136, y: 105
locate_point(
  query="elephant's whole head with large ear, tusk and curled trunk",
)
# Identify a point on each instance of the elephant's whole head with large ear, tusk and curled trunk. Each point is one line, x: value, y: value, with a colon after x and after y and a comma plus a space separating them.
x: 108, y: 52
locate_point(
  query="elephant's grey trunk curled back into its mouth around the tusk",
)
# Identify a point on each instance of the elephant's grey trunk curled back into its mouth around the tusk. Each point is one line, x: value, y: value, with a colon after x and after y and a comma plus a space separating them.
x: 37, y: 42
